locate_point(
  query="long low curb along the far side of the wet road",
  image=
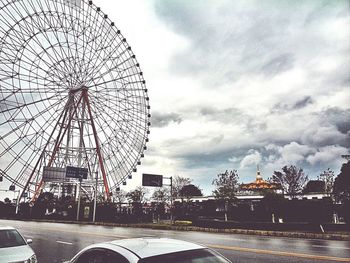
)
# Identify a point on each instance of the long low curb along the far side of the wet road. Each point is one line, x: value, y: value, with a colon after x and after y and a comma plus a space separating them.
x: 308, y: 235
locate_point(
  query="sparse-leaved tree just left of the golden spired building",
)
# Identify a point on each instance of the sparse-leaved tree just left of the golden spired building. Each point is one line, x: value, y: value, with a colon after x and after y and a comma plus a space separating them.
x: 226, y: 185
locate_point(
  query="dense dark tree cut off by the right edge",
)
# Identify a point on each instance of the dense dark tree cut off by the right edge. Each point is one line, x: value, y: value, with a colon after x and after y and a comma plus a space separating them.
x: 342, y: 183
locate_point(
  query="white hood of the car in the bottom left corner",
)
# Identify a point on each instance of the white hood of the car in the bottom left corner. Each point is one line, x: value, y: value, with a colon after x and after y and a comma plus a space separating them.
x: 15, y: 254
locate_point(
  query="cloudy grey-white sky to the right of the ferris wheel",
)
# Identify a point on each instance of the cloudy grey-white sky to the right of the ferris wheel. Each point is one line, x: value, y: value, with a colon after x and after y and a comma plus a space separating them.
x: 234, y: 84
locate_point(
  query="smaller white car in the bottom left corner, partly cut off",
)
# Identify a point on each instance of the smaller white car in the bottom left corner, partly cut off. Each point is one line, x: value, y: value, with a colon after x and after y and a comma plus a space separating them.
x: 14, y: 248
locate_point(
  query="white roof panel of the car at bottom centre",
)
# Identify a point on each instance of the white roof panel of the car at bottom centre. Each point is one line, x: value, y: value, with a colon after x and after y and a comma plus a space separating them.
x: 147, y: 247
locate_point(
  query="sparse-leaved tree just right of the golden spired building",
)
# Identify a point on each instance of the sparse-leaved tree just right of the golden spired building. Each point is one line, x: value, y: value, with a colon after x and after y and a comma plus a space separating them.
x: 291, y: 179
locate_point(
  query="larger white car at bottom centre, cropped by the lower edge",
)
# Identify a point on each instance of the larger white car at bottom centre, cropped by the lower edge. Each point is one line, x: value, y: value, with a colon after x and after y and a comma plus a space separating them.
x: 148, y: 250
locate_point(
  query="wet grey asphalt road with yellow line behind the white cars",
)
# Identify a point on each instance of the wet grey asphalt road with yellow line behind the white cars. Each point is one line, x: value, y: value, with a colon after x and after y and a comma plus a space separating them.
x: 55, y: 242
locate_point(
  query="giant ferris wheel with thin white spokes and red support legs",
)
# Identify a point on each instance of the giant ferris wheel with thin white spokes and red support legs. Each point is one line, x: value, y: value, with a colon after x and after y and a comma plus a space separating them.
x: 71, y: 94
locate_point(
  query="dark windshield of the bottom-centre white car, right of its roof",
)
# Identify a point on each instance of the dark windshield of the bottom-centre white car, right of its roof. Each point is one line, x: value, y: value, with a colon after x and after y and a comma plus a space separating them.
x: 193, y: 256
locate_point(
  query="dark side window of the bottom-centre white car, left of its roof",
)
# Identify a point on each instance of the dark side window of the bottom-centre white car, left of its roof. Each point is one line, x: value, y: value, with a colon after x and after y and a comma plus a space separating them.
x: 101, y: 256
